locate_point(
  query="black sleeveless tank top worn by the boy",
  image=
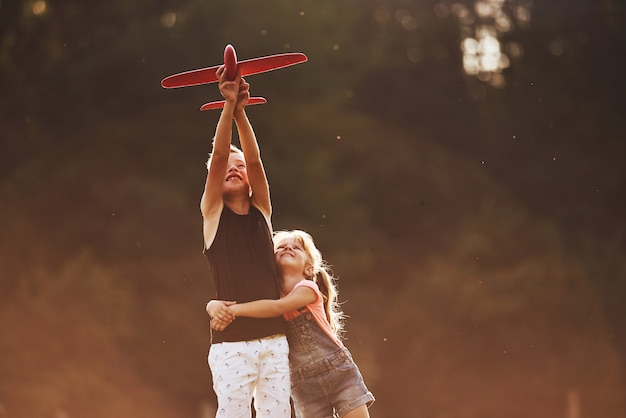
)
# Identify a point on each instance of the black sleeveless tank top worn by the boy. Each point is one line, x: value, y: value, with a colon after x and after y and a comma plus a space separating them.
x: 242, y: 264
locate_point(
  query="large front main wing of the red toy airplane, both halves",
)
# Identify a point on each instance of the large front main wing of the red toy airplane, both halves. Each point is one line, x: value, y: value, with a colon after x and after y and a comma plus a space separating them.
x: 248, y: 67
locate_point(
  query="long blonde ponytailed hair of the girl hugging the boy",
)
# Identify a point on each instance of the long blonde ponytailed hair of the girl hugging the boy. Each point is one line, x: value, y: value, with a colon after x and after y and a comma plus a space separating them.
x: 322, y: 276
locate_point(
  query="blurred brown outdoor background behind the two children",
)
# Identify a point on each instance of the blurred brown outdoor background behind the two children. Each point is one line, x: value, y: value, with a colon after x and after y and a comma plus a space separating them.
x: 461, y: 165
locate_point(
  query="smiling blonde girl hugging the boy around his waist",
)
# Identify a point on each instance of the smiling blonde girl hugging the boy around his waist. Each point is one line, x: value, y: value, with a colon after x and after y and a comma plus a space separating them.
x: 325, y: 381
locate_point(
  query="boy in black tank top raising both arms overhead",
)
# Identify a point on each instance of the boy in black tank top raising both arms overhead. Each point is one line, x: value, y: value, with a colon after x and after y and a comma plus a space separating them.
x: 250, y: 358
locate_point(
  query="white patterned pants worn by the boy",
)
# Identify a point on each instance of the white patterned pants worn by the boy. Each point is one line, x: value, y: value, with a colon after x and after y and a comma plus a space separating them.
x: 256, y: 369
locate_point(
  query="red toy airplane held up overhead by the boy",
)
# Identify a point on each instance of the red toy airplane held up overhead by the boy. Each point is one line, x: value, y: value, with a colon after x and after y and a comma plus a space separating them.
x: 247, y: 67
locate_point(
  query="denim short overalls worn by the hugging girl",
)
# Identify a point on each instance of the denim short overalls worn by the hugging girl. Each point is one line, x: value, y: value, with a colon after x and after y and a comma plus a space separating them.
x: 325, y: 381
